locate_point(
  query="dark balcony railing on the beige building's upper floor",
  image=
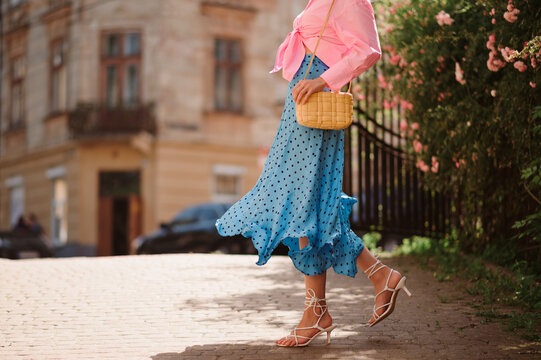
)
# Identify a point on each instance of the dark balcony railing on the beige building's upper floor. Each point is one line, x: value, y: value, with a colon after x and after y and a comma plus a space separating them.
x: 96, y: 120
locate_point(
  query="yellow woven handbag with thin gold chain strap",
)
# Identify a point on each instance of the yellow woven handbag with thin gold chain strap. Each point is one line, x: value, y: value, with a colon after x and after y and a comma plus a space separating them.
x: 325, y: 109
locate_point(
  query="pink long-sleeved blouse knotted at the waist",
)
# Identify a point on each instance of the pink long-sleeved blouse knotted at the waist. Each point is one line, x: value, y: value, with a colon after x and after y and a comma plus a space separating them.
x: 349, y: 45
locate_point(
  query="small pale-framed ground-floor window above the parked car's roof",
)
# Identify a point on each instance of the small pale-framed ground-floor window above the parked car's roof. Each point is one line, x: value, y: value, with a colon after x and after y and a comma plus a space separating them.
x: 227, y: 183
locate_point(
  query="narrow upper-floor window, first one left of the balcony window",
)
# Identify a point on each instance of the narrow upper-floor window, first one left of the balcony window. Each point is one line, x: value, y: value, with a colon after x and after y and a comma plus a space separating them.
x: 58, y: 85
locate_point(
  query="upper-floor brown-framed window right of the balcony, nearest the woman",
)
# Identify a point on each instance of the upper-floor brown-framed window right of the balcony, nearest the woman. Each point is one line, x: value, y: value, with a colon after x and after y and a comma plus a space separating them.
x: 228, y: 91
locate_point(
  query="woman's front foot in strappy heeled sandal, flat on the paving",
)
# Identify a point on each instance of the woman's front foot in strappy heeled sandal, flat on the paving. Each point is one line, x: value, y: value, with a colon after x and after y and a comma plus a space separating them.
x: 313, y: 312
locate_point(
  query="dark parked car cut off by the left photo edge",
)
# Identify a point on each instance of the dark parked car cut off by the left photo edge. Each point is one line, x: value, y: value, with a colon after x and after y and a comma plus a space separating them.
x: 13, y: 245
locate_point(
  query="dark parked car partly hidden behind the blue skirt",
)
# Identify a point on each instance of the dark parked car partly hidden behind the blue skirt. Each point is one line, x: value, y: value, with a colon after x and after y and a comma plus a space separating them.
x: 193, y: 230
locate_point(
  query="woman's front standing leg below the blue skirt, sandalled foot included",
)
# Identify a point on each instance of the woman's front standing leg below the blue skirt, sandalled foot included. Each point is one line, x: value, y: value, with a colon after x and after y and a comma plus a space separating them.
x: 309, y: 318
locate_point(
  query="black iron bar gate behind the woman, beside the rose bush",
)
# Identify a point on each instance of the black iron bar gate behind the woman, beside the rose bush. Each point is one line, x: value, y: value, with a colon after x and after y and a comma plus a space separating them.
x: 377, y: 171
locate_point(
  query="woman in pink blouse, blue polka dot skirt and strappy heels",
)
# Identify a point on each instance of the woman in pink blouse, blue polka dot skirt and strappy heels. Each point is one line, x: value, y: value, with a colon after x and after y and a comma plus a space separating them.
x: 298, y: 199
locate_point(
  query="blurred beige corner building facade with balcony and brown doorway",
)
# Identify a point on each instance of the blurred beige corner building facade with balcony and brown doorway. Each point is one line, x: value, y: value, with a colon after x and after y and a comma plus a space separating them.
x: 117, y: 114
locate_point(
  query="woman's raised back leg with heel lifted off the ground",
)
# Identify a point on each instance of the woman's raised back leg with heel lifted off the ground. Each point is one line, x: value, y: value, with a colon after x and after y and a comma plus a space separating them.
x: 378, y: 279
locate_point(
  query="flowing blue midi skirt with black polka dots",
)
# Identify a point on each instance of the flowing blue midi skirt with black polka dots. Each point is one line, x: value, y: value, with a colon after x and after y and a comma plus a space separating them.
x: 299, y: 193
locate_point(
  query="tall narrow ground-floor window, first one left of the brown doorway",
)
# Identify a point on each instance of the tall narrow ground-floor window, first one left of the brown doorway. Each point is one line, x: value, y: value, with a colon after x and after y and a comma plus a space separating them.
x: 59, y: 219
